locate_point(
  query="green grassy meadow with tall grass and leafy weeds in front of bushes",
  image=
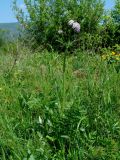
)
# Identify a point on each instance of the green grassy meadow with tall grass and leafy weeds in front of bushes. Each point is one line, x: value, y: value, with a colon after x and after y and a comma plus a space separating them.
x: 36, y: 124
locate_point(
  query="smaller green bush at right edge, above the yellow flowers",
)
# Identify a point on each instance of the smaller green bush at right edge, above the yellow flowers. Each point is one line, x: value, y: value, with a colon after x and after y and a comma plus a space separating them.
x: 111, y: 27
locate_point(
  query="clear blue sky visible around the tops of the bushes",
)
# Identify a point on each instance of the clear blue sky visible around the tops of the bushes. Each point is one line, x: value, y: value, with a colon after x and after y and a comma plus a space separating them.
x: 7, y: 15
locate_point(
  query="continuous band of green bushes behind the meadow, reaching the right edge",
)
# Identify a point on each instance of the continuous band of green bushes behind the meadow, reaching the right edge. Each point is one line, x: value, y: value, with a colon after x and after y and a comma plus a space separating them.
x: 42, y: 19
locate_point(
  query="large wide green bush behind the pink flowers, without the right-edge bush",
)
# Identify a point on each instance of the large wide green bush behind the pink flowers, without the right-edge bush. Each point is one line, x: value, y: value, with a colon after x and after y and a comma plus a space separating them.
x: 43, y: 19
